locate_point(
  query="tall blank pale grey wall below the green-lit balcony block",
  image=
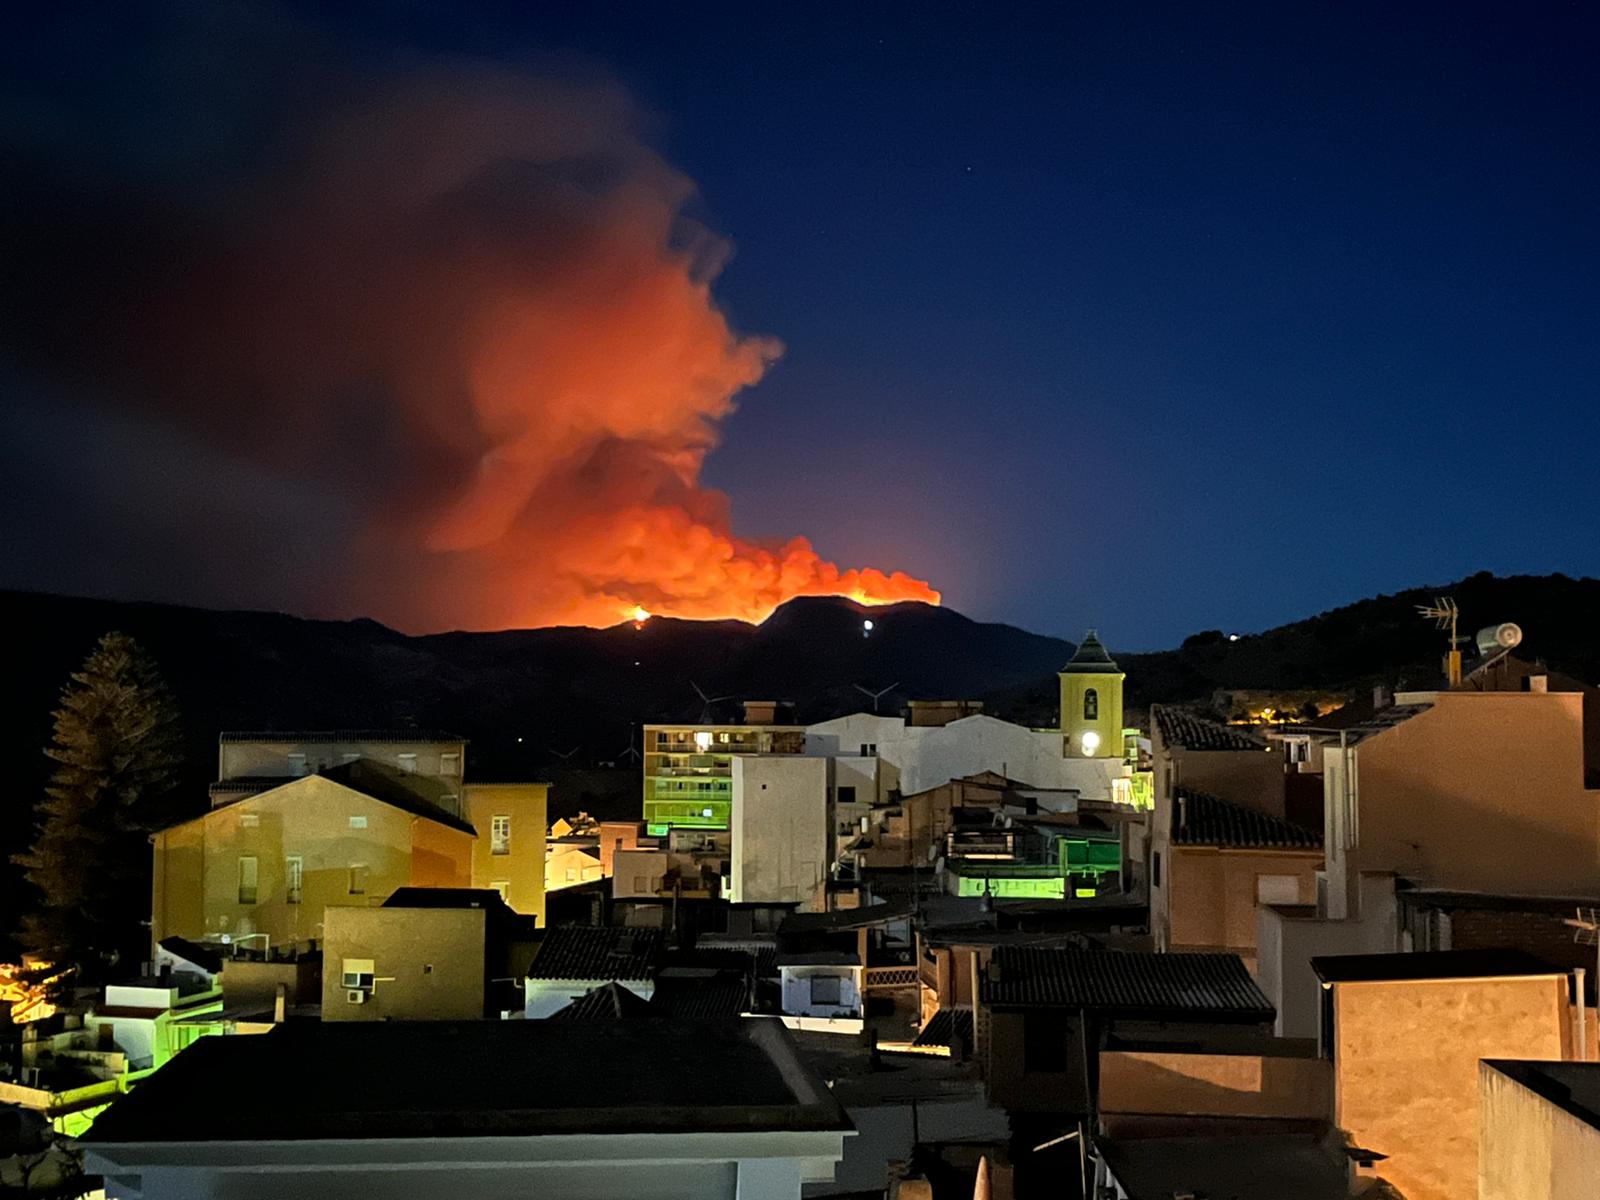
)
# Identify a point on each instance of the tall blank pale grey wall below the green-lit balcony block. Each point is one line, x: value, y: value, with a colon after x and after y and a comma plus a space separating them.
x: 782, y: 831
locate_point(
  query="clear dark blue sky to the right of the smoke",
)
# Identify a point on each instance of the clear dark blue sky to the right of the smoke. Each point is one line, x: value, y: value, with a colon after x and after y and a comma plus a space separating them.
x: 1156, y: 318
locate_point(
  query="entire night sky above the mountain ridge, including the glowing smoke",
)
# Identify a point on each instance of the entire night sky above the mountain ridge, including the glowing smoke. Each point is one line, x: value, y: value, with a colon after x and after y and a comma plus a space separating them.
x: 1153, y: 319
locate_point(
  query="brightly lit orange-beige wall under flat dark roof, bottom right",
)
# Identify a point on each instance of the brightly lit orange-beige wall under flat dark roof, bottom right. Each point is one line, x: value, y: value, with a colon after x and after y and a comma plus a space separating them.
x: 1406, y: 1065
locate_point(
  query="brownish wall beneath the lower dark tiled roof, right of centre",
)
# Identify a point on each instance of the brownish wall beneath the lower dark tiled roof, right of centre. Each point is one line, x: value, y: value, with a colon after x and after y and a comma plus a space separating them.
x: 1209, y: 895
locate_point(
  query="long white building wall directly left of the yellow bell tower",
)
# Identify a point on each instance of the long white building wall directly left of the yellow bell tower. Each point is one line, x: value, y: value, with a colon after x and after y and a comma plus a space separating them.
x: 930, y: 756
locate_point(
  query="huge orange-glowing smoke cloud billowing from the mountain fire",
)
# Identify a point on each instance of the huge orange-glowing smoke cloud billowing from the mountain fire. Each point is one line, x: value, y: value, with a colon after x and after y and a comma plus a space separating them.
x: 436, y: 343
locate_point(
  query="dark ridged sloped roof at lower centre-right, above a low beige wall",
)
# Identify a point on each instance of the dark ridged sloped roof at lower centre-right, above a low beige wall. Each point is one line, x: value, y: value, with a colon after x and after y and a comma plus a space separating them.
x: 1178, y: 986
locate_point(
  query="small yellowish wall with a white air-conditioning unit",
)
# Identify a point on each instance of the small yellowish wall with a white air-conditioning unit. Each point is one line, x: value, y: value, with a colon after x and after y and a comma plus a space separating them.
x: 428, y: 964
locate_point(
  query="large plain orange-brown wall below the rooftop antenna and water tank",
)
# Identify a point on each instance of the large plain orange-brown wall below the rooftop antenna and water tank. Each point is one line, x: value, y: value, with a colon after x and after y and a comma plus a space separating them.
x: 1484, y: 793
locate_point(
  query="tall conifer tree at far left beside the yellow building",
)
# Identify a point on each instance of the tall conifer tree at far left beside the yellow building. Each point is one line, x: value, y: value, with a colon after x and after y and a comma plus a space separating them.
x: 118, y: 750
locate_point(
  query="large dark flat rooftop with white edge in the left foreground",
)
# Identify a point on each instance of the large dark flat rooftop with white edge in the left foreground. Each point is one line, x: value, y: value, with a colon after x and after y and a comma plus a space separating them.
x: 446, y: 1079
